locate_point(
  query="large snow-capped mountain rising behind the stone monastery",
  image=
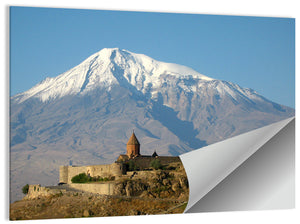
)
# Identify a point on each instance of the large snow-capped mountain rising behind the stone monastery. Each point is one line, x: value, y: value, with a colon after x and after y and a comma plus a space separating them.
x: 86, y: 115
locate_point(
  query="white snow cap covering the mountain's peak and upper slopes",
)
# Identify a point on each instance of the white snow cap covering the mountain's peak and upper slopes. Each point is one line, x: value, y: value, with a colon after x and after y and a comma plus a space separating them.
x: 108, y: 67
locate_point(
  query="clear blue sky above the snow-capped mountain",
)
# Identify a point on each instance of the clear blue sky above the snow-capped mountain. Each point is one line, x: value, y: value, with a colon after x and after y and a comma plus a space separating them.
x: 254, y: 52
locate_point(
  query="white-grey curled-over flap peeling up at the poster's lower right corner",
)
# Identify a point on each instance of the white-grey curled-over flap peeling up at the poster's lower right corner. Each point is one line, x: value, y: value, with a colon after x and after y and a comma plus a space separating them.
x: 208, y: 166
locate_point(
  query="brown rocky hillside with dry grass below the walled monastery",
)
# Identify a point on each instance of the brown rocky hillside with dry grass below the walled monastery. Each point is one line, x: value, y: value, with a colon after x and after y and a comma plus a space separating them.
x: 148, y: 192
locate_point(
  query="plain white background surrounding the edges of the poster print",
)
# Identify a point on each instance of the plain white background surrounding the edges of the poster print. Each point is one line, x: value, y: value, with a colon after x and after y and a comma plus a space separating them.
x: 274, y: 8
